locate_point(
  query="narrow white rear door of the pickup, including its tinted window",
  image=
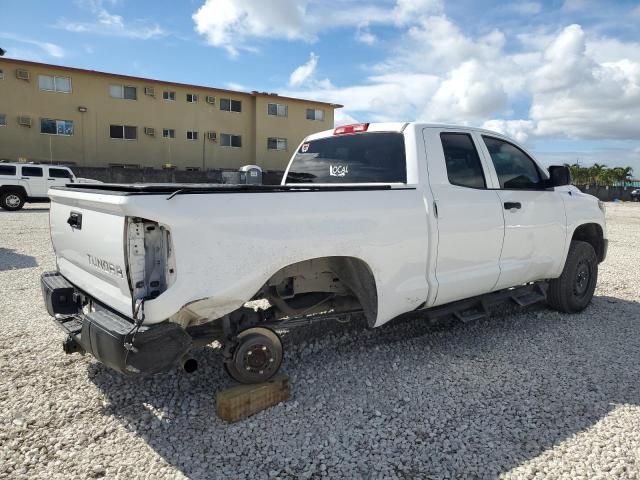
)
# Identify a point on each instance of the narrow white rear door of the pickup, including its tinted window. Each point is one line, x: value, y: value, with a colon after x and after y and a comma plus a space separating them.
x: 469, y: 216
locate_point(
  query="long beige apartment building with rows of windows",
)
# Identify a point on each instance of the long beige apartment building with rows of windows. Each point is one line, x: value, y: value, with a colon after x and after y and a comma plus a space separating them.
x: 82, y: 117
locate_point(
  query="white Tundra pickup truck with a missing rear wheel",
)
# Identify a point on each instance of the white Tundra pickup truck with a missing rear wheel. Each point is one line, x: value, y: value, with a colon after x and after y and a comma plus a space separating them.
x: 372, y: 219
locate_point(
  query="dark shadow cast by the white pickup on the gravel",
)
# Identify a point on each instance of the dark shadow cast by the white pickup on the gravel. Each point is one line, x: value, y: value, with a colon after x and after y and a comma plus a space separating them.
x: 405, y: 400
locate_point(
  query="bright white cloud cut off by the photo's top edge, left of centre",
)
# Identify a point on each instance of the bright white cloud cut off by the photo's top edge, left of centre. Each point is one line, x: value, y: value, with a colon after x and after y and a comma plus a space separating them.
x: 236, y: 24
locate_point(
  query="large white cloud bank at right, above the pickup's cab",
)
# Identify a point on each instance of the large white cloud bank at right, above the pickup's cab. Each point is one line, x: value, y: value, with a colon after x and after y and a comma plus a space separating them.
x: 577, y: 87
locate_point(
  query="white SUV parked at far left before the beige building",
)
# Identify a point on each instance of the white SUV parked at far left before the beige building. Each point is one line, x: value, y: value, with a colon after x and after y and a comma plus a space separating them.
x: 25, y: 182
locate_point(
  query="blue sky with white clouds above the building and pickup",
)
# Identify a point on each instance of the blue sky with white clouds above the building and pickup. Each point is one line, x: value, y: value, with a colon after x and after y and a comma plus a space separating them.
x: 561, y: 76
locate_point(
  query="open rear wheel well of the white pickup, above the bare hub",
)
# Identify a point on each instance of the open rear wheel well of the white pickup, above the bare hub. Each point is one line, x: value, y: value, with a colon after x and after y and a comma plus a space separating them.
x: 345, y: 283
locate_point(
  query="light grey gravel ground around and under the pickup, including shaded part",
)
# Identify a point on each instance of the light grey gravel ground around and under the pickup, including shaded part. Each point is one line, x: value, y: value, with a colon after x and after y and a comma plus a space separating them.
x: 529, y: 394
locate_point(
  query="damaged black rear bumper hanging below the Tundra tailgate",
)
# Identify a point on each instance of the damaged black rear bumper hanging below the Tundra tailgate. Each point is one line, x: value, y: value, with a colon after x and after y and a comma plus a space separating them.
x: 109, y: 336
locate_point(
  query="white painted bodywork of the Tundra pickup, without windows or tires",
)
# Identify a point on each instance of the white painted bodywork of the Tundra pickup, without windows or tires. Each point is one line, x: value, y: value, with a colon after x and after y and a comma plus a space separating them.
x: 427, y: 242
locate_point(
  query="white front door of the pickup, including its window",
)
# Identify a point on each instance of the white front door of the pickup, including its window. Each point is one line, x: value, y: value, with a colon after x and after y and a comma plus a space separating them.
x: 534, y: 216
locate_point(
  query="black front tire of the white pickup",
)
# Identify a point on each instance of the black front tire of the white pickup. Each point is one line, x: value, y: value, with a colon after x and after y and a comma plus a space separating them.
x: 573, y: 290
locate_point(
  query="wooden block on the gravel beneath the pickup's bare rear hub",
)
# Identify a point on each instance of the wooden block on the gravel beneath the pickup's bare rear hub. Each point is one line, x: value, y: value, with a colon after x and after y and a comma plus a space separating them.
x: 242, y: 401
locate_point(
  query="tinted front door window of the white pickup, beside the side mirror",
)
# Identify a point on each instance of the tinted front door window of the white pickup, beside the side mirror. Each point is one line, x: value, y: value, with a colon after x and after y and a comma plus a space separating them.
x: 515, y: 169
